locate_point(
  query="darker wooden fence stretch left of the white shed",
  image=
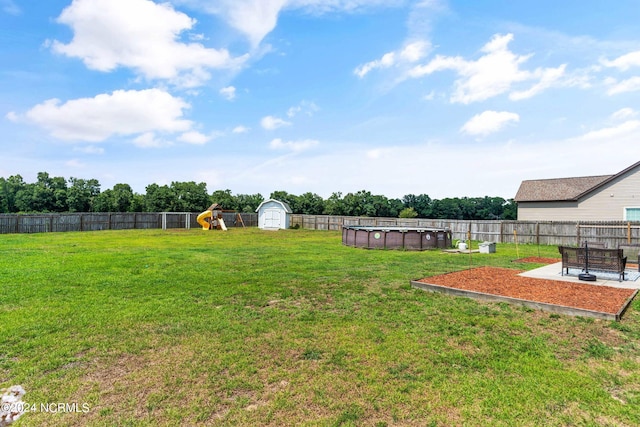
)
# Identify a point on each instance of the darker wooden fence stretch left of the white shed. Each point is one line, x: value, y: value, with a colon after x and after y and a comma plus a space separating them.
x: 41, y: 223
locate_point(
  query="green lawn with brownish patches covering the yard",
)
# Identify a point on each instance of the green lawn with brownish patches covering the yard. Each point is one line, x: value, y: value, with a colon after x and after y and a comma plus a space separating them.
x: 248, y: 327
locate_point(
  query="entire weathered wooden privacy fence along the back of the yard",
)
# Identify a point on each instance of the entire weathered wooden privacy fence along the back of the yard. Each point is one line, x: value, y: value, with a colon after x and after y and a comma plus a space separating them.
x: 611, y: 233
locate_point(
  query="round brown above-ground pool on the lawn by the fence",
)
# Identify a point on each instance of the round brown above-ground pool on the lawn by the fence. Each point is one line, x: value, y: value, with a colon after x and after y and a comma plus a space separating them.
x: 415, y: 239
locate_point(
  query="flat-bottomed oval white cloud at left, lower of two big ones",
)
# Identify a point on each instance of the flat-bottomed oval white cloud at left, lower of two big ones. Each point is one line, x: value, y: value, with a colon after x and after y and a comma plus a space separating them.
x: 106, y: 115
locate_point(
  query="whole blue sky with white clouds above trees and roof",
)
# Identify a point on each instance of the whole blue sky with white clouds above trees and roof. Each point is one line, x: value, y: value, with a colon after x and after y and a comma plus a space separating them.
x: 447, y: 98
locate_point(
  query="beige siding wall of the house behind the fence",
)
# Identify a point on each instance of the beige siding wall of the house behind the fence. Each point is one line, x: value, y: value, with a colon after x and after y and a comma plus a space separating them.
x: 607, y: 203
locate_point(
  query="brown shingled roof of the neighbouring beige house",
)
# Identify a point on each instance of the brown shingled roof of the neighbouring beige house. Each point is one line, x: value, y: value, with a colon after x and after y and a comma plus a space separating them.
x: 564, y: 189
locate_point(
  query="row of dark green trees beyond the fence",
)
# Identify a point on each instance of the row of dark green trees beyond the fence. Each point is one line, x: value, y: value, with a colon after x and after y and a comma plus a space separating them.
x: 57, y: 194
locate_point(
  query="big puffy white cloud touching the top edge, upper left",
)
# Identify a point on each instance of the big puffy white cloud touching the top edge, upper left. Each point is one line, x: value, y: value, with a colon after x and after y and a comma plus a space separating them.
x: 110, y: 33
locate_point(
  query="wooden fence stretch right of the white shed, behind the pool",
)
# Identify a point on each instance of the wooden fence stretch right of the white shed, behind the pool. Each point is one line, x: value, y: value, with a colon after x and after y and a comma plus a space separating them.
x: 567, y: 233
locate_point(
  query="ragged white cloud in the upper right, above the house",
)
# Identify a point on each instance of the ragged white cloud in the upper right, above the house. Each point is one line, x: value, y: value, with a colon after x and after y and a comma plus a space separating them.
x: 492, y: 74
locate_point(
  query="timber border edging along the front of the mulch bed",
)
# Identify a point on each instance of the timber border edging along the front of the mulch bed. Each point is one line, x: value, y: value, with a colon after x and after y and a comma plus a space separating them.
x: 554, y: 308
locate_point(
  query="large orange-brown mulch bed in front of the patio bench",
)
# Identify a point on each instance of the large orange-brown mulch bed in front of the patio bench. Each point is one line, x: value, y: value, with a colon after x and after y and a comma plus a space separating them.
x: 506, y: 282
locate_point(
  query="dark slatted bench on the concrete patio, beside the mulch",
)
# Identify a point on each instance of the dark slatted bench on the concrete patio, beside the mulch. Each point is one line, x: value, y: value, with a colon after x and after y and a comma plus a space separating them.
x: 606, y: 260
